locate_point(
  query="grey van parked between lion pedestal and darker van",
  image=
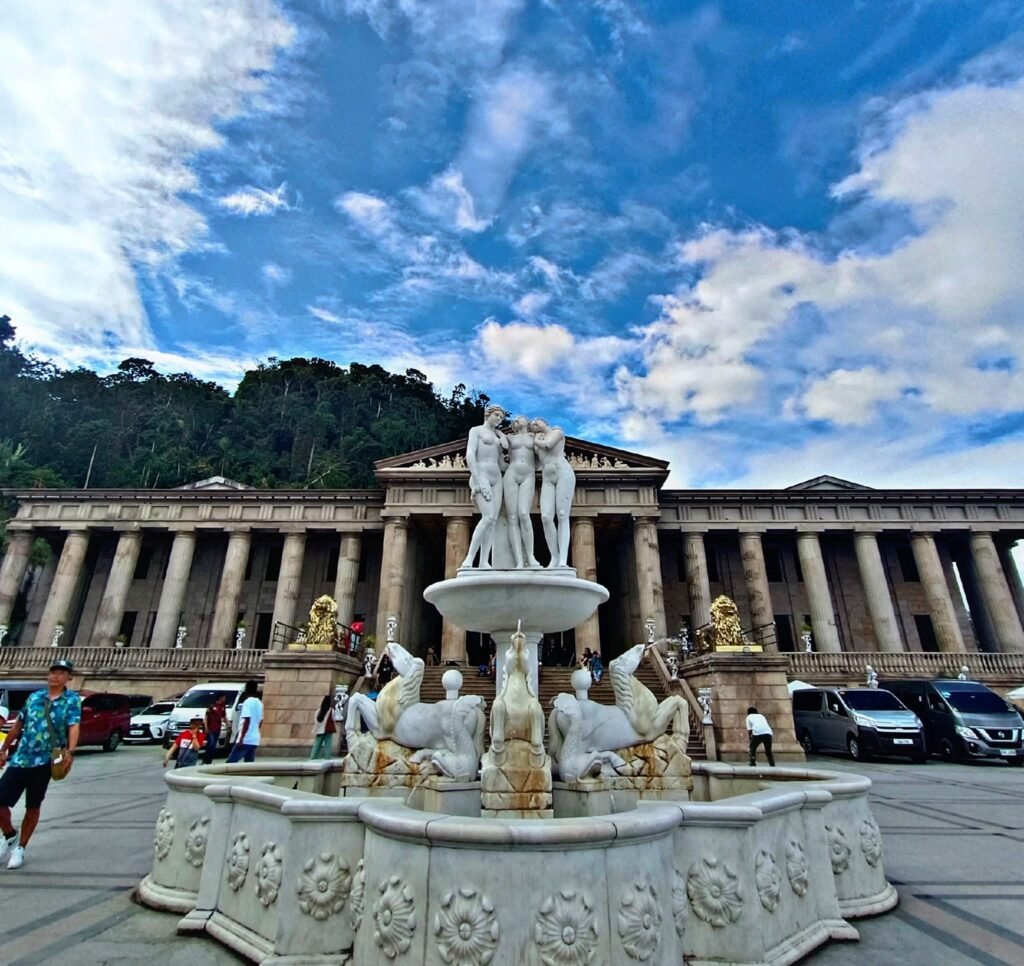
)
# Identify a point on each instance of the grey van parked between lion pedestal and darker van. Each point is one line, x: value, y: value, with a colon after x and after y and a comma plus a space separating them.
x: 862, y: 722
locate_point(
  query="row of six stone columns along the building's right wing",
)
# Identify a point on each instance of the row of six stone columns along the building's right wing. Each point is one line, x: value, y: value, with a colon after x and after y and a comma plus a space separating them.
x: 998, y: 592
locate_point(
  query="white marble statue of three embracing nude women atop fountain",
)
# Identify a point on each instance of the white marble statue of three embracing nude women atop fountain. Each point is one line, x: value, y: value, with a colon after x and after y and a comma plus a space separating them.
x: 503, y: 481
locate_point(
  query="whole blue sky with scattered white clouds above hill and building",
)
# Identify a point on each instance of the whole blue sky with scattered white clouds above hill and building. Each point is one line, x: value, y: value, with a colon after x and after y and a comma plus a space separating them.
x: 763, y: 241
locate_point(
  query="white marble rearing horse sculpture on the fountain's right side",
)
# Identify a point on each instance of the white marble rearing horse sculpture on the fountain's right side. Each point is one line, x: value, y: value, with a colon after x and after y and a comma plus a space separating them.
x: 636, y: 719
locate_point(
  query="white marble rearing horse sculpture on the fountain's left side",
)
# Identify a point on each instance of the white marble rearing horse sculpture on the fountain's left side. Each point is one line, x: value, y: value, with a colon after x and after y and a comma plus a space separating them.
x: 449, y: 735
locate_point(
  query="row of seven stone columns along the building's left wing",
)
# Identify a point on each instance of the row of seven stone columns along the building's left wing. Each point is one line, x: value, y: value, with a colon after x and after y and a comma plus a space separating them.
x: 71, y: 567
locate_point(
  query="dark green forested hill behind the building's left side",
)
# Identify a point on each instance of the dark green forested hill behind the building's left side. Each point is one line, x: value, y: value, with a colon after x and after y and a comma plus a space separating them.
x: 297, y: 423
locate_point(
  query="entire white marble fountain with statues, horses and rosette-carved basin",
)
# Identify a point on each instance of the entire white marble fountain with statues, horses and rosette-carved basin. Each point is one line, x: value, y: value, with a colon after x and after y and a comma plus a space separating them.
x: 599, y: 844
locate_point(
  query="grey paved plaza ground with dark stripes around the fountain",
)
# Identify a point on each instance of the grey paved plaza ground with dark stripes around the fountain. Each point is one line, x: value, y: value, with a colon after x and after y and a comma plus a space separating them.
x: 954, y: 838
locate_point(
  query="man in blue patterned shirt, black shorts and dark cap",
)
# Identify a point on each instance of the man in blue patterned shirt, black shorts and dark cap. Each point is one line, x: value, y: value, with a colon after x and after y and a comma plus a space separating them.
x: 29, y: 771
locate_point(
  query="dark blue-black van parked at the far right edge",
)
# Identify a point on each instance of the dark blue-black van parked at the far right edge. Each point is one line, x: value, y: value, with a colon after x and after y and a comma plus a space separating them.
x: 964, y: 720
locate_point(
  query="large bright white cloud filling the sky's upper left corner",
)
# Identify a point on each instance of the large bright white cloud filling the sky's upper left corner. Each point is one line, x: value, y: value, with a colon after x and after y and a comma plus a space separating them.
x: 103, y: 107
